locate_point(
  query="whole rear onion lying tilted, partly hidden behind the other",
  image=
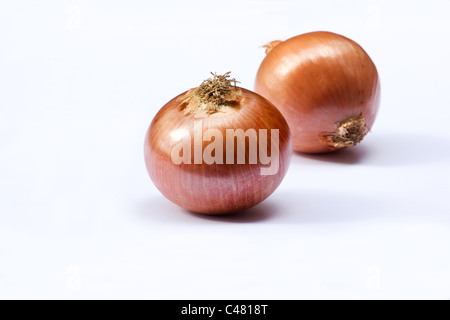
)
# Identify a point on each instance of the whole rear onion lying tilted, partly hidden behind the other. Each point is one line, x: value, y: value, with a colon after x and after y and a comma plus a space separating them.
x: 325, y: 85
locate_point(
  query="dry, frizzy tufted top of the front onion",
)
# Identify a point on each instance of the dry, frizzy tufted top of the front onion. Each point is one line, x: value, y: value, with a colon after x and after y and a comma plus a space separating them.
x: 213, y: 95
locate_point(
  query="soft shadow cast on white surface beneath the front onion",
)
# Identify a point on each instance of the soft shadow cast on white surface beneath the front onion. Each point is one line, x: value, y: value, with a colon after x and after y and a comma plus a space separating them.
x: 291, y: 208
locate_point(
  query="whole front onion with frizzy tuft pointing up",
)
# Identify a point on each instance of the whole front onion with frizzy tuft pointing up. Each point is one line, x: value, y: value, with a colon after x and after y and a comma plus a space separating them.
x: 218, y: 148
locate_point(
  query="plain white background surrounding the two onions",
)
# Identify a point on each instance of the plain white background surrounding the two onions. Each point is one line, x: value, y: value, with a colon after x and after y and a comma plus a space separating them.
x: 80, y: 82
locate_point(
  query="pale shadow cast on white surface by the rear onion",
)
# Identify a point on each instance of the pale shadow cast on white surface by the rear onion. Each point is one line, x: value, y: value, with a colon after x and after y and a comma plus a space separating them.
x: 399, y: 149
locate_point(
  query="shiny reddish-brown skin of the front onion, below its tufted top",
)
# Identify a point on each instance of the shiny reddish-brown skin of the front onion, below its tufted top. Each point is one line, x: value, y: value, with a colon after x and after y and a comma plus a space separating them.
x: 215, y: 188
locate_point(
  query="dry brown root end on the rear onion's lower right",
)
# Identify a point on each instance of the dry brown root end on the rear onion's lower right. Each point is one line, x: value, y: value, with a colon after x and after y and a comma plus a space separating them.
x: 348, y: 133
